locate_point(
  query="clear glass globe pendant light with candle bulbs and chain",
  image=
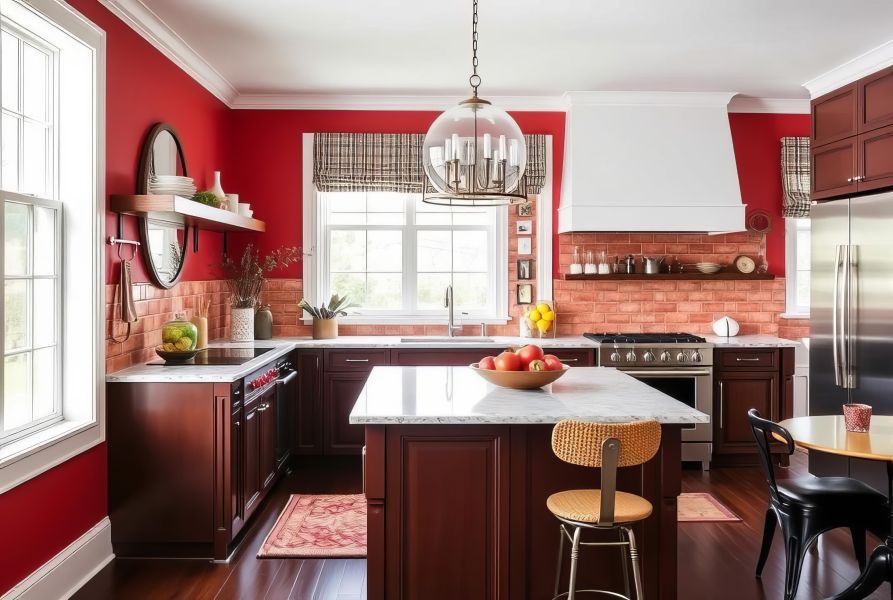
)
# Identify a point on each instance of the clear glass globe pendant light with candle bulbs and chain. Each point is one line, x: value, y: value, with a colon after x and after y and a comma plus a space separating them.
x: 474, y: 154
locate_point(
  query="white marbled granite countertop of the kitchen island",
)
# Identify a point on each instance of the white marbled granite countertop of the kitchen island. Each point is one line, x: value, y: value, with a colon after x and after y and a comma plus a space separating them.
x: 458, y: 395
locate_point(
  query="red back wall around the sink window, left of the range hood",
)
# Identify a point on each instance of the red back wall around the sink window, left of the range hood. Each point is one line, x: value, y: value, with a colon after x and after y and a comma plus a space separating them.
x: 266, y: 168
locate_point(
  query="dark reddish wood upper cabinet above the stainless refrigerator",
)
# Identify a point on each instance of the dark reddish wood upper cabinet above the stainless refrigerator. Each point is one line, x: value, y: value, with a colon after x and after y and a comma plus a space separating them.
x: 852, y: 138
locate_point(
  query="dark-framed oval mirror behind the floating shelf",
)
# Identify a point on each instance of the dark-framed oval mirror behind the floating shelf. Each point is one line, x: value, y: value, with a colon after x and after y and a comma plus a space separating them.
x: 164, y: 243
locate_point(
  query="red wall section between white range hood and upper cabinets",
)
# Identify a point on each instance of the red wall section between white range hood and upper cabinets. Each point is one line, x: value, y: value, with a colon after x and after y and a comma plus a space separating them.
x: 756, y: 138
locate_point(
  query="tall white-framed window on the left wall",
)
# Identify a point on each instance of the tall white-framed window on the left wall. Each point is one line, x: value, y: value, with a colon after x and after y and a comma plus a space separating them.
x: 51, y: 174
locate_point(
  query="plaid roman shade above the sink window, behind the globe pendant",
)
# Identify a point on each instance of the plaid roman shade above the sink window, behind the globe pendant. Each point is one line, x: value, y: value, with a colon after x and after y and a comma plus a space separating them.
x: 392, y: 162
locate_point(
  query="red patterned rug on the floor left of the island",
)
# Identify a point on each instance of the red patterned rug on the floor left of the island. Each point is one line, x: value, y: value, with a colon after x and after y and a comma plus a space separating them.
x: 319, y: 527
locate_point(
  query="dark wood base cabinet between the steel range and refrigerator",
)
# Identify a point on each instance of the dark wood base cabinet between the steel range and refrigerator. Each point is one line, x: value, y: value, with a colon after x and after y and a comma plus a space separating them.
x: 761, y: 378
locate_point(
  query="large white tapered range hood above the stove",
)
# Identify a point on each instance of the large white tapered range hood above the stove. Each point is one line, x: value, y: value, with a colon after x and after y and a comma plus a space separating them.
x: 649, y: 161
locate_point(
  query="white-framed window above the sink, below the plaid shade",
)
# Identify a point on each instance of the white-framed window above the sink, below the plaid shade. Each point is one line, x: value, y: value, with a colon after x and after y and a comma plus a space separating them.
x: 394, y: 256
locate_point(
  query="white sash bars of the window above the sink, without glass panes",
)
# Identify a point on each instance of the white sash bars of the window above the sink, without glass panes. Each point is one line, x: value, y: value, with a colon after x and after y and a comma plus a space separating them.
x: 409, y: 229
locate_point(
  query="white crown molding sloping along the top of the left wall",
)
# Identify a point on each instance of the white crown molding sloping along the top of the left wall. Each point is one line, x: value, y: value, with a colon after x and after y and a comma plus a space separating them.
x: 150, y: 27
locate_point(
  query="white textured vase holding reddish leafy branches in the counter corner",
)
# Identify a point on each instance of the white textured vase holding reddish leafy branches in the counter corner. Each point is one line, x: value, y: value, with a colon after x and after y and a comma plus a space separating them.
x: 245, y: 280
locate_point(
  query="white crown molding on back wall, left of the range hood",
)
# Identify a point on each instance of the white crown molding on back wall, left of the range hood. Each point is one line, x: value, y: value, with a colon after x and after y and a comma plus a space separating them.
x: 385, y: 102
